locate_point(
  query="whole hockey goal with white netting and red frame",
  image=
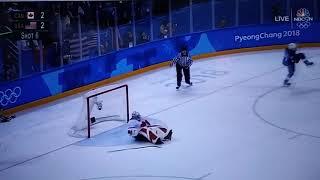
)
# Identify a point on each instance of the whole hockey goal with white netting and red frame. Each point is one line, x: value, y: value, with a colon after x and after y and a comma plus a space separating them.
x: 102, y: 109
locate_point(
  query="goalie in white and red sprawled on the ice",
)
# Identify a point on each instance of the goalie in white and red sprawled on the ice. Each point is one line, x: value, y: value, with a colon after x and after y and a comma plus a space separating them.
x: 142, y: 129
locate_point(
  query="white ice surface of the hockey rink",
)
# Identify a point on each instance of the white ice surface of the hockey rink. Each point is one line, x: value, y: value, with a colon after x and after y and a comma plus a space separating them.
x: 236, y: 122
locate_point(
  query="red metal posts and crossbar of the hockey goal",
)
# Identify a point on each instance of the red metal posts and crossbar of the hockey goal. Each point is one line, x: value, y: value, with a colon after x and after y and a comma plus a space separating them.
x: 103, y: 92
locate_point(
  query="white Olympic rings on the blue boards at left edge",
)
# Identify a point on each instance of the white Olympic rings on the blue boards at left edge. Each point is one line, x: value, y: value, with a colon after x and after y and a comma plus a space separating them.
x: 9, y: 96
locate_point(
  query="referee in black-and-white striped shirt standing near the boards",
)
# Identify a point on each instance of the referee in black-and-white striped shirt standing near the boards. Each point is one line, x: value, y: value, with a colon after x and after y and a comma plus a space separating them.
x: 183, y: 62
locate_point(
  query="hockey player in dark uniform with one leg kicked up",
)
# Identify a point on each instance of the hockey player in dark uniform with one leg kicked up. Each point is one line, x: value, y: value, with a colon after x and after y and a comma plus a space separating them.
x: 289, y: 60
